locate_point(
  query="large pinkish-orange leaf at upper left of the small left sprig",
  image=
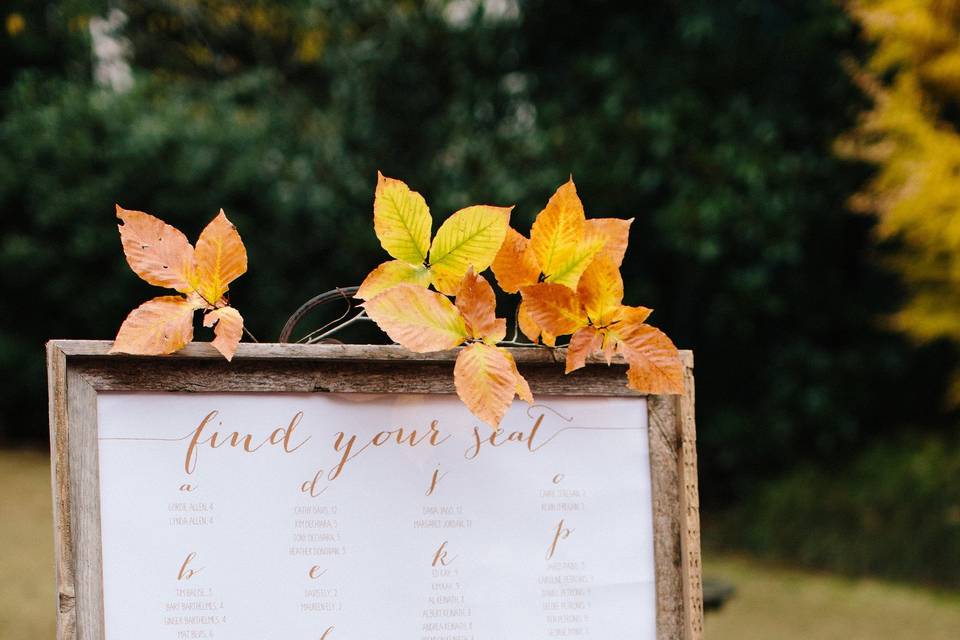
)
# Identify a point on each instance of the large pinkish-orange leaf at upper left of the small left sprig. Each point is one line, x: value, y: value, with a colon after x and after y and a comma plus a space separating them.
x: 156, y: 251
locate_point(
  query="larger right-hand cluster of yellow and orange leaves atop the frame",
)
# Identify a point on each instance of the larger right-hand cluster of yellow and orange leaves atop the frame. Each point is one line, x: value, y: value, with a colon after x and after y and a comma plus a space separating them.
x: 568, y: 274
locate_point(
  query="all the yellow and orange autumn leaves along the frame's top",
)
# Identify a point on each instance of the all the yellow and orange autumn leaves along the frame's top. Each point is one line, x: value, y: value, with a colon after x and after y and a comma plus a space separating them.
x: 568, y: 274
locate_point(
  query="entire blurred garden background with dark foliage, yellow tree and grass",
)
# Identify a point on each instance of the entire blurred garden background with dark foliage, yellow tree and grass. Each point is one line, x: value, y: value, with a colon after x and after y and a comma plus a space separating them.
x: 793, y: 168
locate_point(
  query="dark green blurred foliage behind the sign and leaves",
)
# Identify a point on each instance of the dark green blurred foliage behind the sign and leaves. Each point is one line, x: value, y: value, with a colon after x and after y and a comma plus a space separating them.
x: 710, y: 122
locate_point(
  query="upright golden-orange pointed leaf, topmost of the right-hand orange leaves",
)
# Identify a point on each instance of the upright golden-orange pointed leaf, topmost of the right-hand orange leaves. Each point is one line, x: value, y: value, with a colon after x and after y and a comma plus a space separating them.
x: 557, y: 233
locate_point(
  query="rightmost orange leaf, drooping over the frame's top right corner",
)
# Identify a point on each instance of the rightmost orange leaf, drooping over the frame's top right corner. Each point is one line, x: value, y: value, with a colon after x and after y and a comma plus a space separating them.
x: 654, y: 362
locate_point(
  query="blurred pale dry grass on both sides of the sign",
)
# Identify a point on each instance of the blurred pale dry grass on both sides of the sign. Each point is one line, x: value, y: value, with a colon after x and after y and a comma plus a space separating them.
x: 771, y: 603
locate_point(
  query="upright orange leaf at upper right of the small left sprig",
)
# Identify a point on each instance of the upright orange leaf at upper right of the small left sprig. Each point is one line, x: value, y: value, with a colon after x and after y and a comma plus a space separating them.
x: 220, y: 258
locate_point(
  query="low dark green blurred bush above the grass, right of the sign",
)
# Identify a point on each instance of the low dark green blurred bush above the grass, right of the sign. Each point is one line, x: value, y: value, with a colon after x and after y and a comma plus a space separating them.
x: 894, y: 512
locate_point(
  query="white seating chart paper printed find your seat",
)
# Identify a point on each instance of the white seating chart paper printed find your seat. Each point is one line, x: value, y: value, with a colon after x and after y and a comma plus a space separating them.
x: 372, y: 517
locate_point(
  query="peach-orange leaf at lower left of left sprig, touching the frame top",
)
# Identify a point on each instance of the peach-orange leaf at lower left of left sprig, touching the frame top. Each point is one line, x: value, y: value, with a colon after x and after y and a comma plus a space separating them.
x: 159, y: 326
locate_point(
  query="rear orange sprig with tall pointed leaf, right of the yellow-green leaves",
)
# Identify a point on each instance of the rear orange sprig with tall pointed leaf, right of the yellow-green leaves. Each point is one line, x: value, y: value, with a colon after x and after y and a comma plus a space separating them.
x: 562, y: 245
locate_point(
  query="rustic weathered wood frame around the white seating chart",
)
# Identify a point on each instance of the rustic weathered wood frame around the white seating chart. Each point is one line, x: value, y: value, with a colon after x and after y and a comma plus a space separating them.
x: 78, y: 370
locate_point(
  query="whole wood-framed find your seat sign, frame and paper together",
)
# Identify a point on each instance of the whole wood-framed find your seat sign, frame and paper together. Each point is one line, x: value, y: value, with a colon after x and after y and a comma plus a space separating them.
x: 342, y: 492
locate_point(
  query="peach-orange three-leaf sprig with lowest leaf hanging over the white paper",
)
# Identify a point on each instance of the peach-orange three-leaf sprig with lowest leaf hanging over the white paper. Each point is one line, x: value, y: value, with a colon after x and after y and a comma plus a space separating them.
x: 485, y: 375
